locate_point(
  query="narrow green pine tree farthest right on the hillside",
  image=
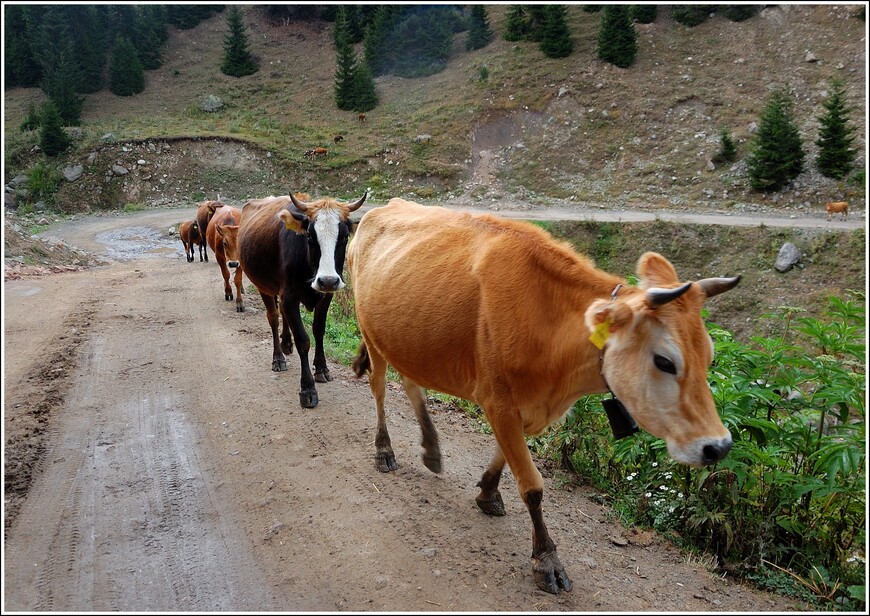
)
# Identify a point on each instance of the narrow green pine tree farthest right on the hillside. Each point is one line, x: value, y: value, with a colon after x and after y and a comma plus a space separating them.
x: 836, y: 153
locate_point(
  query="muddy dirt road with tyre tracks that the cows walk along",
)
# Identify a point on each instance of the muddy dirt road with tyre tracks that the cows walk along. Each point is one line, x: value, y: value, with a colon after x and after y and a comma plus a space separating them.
x: 174, y: 471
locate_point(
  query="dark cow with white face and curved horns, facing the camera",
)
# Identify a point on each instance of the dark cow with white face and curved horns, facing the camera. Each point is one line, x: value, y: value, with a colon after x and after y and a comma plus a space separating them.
x: 293, y: 249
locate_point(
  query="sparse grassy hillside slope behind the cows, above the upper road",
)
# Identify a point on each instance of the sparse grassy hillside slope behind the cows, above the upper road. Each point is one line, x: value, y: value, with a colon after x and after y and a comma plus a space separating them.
x: 506, y: 122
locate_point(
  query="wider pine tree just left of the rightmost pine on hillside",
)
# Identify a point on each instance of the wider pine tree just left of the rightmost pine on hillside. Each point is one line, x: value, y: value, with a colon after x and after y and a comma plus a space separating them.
x: 777, y: 156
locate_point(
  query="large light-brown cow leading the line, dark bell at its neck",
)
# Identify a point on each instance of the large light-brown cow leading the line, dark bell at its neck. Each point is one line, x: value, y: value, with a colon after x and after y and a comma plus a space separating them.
x: 499, y: 313
